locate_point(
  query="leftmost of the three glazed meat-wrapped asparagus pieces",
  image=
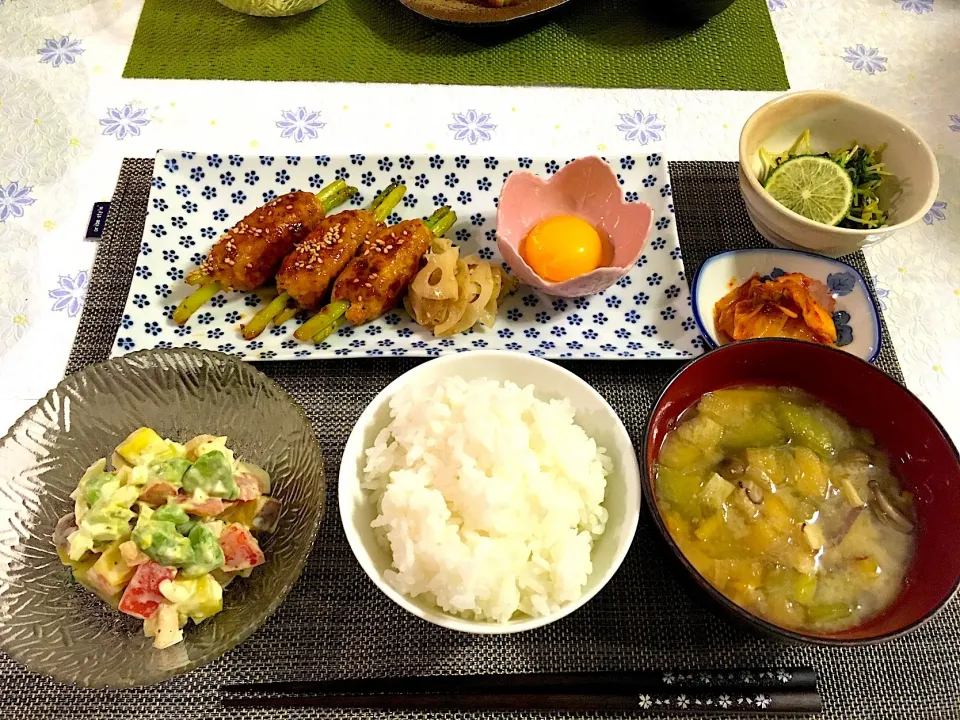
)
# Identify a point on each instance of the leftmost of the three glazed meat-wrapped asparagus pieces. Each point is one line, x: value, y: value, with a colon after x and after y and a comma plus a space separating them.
x: 249, y: 254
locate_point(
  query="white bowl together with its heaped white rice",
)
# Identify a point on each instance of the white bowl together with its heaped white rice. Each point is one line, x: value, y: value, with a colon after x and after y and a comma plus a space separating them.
x: 489, y: 492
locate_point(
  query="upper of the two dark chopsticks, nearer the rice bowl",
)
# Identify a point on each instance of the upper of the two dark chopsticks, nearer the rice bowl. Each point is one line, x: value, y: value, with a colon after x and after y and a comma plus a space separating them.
x: 576, y: 683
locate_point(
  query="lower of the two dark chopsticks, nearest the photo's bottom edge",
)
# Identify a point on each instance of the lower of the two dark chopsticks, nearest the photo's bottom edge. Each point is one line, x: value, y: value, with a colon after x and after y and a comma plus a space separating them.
x: 772, y: 702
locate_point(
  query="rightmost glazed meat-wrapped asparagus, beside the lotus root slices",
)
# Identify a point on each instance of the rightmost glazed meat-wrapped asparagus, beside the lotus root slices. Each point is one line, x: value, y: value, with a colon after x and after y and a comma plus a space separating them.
x: 376, y: 278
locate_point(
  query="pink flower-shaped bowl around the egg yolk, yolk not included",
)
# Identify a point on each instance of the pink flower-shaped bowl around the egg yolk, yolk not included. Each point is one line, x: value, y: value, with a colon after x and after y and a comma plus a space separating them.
x: 587, y: 188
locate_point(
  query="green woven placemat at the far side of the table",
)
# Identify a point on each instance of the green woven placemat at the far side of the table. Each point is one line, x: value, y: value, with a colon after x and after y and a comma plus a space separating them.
x: 590, y: 43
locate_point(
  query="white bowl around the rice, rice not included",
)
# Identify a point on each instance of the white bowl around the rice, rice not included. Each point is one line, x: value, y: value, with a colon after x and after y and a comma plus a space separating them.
x: 593, y: 414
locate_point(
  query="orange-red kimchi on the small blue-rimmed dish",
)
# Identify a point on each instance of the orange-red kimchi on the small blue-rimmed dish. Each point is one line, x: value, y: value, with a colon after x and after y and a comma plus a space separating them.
x: 791, y: 305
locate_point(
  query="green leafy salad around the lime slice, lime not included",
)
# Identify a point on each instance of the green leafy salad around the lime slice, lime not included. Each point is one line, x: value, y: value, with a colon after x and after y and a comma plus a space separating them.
x: 863, y: 166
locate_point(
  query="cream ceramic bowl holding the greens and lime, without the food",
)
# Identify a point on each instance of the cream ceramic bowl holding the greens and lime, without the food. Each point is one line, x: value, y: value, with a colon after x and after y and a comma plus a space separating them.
x: 834, y: 120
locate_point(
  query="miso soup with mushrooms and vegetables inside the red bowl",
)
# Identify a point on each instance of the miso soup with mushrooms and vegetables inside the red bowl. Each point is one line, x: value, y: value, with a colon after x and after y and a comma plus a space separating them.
x: 785, y: 508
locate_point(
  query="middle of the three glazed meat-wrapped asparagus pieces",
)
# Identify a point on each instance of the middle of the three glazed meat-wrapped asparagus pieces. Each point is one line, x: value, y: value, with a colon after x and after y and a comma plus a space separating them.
x: 307, y: 273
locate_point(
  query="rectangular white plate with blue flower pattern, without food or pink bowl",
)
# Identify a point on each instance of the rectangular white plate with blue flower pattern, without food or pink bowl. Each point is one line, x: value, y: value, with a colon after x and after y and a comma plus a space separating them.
x: 196, y: 197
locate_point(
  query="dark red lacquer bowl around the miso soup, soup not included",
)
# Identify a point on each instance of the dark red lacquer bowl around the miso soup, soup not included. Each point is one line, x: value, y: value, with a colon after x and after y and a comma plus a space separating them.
x: 921, y: 454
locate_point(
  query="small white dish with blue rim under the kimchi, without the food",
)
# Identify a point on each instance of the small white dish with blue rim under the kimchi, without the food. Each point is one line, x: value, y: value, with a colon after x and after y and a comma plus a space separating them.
x: 856, y: 315
